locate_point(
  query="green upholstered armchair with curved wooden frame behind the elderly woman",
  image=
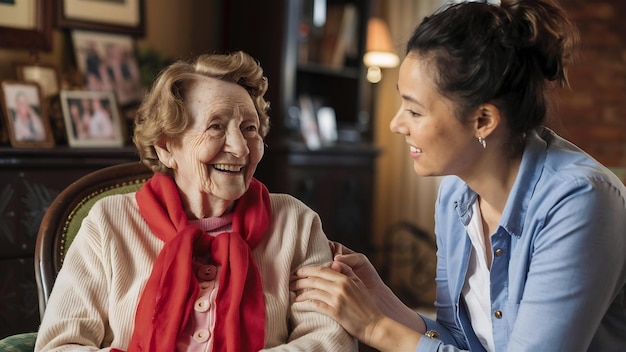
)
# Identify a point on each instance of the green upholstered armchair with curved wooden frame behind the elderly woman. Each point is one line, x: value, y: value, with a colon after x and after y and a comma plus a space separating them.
x: 60, y: 224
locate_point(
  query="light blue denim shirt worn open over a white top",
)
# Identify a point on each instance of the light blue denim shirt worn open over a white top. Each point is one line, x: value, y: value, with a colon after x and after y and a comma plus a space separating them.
x: 559, y: 257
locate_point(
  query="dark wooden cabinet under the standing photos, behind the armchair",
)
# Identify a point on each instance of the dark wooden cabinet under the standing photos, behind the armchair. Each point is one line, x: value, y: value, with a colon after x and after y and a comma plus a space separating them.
x: 29, y: 181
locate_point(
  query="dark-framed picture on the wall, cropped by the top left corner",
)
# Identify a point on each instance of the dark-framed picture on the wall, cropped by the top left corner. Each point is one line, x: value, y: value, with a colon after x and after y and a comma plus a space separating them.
x: 26, y: 24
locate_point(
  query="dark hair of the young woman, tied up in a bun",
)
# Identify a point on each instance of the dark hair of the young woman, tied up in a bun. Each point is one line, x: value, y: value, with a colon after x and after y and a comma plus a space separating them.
x: 501, y: 54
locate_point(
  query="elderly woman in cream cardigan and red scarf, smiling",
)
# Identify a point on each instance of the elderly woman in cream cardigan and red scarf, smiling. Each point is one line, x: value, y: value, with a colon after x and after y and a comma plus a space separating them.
x: 200, y: 258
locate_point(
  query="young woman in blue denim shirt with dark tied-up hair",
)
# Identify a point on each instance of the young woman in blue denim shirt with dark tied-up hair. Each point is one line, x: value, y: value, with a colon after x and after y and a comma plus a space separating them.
x: 530, y: 229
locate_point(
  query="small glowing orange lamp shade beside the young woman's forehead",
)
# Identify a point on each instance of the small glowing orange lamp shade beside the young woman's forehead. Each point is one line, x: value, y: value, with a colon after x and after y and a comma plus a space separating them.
x: 379, y: 48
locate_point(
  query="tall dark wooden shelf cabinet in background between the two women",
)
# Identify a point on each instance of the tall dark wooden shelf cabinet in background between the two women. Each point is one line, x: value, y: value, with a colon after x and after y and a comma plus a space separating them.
x: 291, y: 42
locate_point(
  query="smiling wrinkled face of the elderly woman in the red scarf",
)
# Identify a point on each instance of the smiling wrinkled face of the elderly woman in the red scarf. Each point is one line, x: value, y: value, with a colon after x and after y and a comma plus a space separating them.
x: 218, y: 154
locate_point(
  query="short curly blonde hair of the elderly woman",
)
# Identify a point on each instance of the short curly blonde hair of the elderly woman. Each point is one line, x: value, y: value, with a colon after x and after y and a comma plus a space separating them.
x: 163, y: 112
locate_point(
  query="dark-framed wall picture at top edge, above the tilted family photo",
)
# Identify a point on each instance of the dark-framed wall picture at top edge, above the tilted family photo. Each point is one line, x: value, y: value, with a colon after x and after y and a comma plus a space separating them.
x: 118, y: 16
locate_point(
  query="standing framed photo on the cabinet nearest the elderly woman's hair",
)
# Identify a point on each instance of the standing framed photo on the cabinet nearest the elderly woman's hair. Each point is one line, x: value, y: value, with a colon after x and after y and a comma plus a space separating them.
x: 91, y: 119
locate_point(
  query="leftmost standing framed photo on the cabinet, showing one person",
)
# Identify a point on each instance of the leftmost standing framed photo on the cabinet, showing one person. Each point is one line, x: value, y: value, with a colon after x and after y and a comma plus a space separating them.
x: 25, y: 115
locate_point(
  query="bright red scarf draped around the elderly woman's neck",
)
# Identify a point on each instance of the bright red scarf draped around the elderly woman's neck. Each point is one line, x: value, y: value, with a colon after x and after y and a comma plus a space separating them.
x: 168, y: 298
